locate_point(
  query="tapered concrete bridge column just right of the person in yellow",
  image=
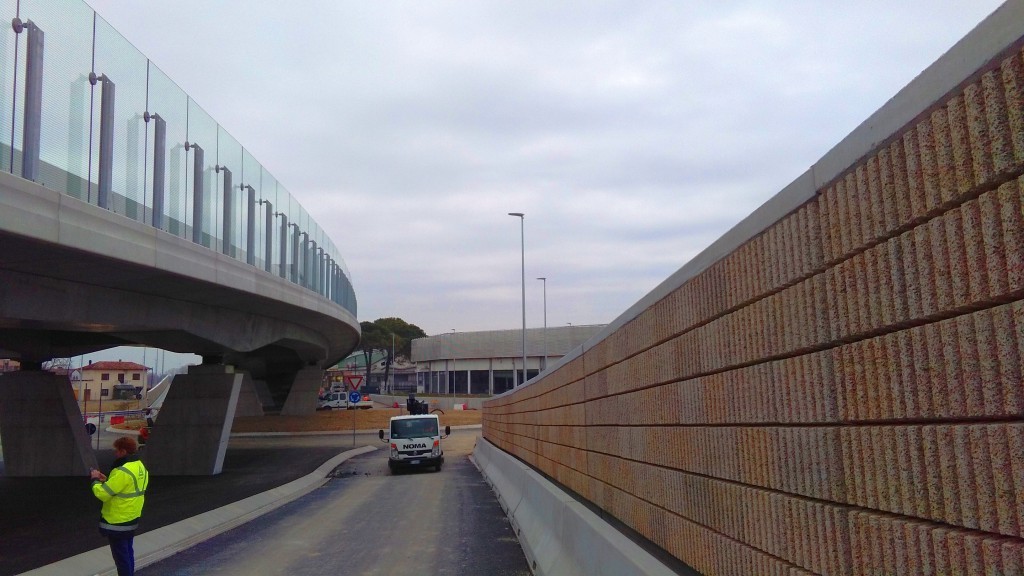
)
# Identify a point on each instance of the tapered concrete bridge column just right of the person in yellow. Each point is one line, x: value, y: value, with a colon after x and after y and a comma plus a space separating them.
x: 190, y: 437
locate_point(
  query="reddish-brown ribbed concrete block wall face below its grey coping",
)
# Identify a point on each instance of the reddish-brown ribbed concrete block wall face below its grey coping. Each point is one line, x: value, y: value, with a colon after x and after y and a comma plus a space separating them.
x: 842, y: 394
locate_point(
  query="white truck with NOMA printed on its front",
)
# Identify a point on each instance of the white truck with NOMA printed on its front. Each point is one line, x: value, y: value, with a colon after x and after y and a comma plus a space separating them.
x: 415, y: 441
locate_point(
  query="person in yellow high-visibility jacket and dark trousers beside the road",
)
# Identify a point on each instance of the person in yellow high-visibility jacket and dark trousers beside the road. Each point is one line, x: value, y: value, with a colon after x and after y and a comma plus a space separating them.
x: 123, y: 493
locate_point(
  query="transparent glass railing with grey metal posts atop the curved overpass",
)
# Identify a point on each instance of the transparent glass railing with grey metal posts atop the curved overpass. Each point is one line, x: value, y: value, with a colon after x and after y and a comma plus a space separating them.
x: 87, y: 114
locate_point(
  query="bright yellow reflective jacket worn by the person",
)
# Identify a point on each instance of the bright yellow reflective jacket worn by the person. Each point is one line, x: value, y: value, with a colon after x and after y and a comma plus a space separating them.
x: 123, y: 496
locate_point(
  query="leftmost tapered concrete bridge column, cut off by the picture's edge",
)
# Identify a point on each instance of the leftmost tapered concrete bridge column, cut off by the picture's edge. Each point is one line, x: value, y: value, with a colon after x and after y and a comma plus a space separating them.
x: 41, y: 427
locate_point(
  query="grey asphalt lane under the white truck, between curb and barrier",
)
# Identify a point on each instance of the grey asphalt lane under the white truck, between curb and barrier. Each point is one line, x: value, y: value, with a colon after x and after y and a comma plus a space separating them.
x: 367, y: 522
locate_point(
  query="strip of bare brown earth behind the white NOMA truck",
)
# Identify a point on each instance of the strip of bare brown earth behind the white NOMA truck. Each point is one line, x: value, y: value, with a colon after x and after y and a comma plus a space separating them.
x: 376, y: 419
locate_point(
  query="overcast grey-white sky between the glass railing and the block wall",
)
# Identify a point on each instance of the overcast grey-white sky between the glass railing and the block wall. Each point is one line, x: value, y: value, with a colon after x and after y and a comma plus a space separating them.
x: 632, y: 135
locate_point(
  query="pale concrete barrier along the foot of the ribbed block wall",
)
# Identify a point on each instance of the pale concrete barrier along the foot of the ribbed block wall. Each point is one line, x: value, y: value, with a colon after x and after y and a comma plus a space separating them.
x: 560, y: 536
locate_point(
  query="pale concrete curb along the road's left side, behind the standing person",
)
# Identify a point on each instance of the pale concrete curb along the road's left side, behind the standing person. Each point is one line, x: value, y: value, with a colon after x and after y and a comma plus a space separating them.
x: 160, y: 544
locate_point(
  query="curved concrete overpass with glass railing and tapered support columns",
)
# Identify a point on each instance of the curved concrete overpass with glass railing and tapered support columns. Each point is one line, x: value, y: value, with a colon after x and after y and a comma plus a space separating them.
x: 130, y: 217
